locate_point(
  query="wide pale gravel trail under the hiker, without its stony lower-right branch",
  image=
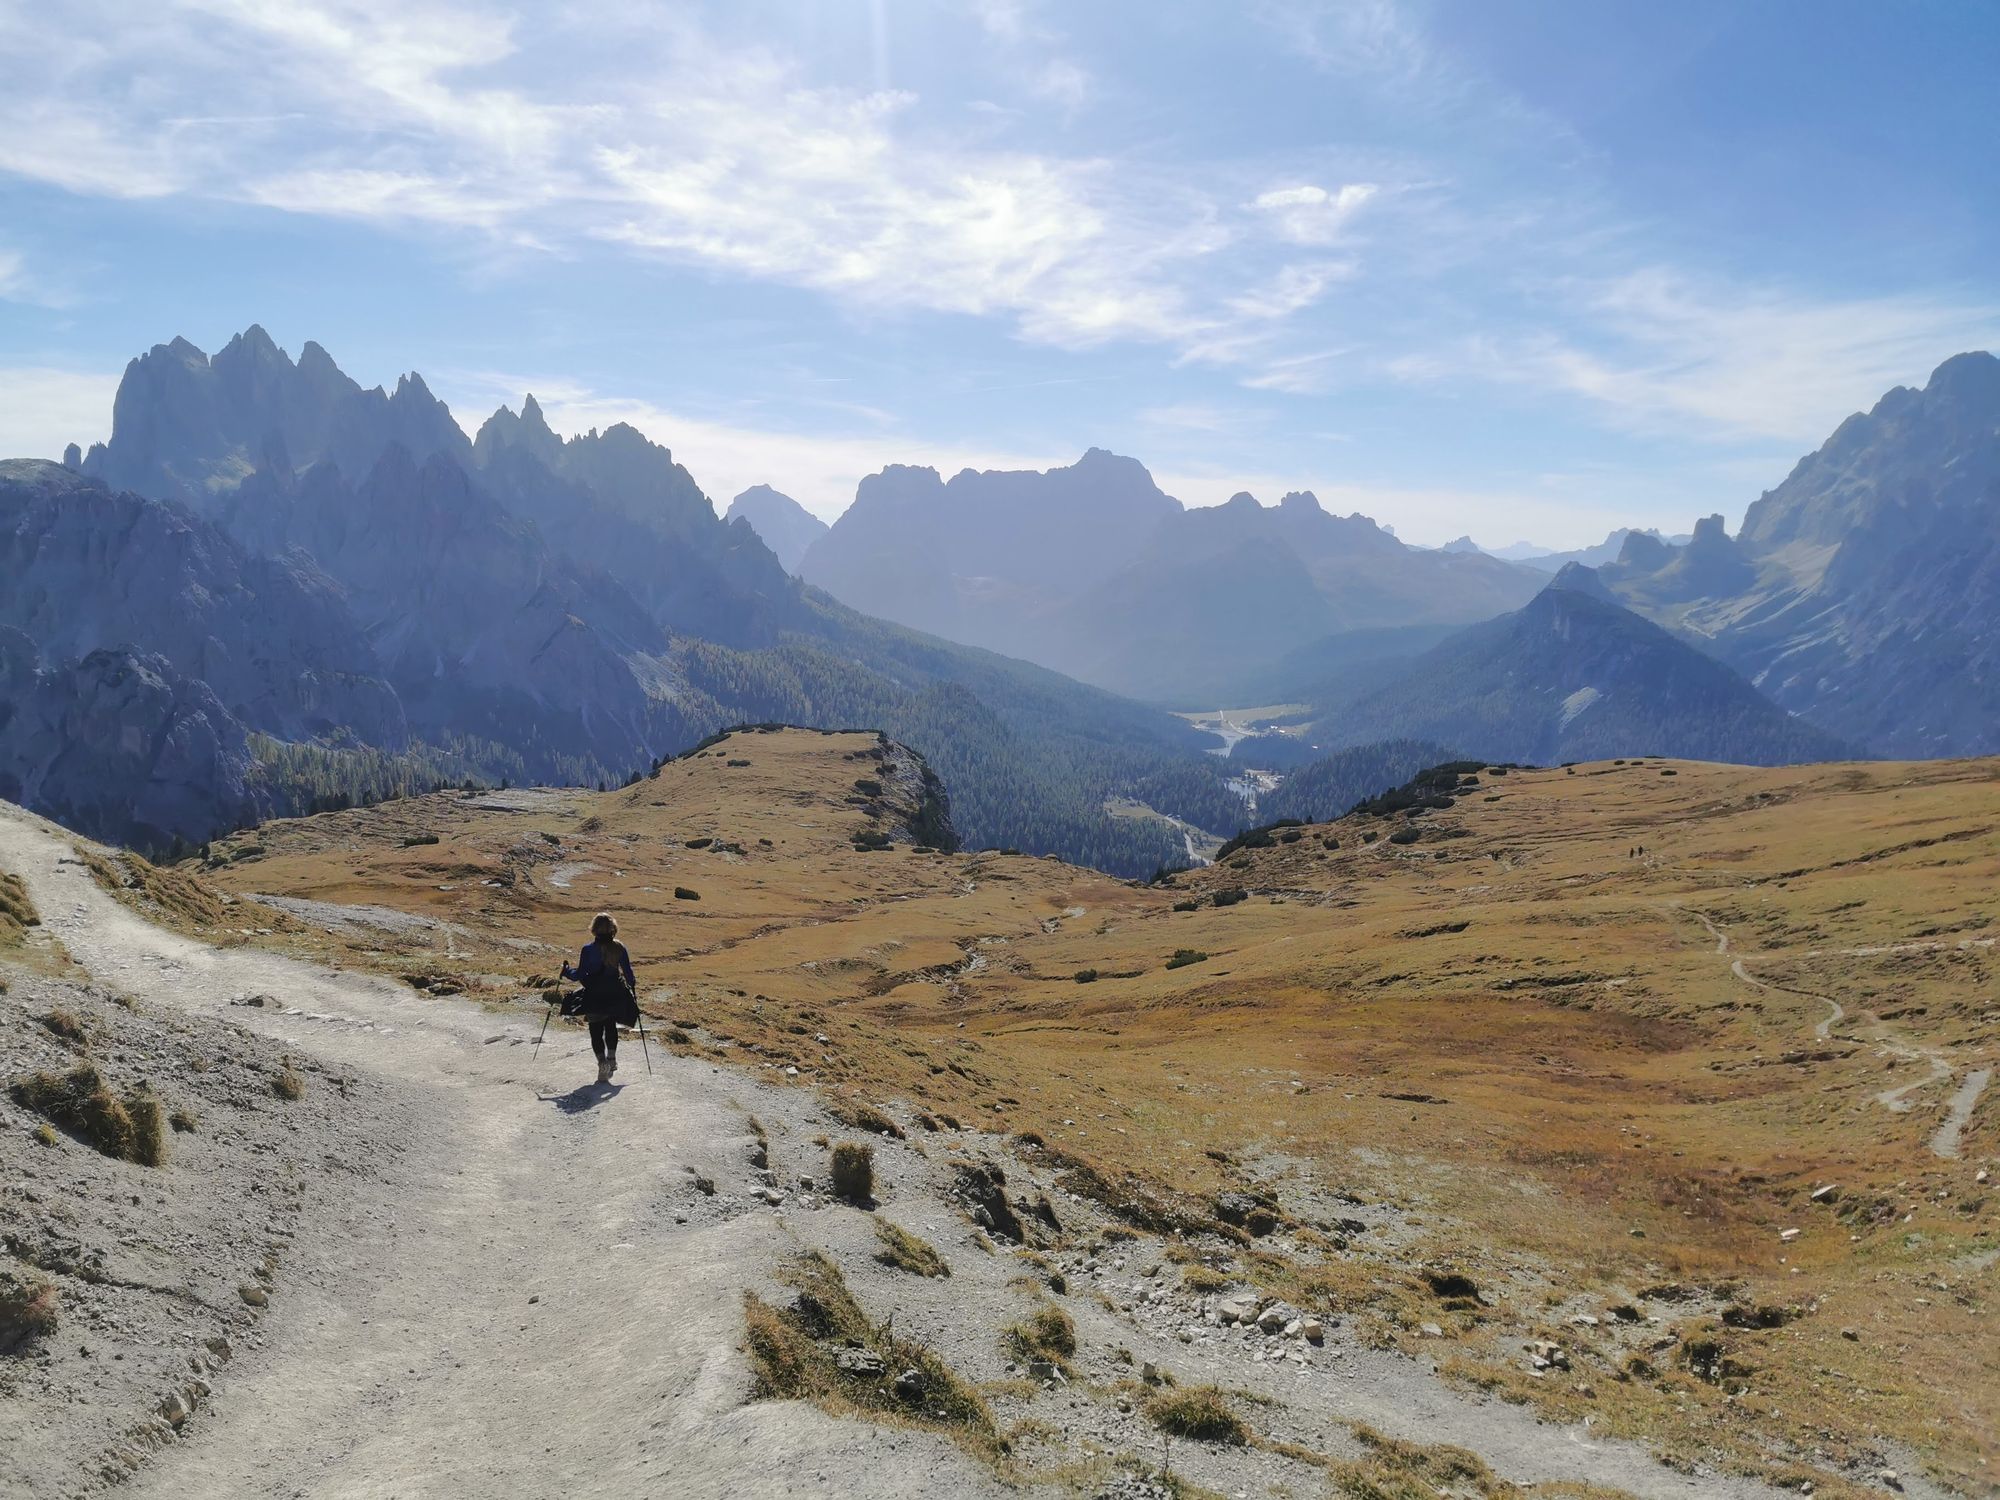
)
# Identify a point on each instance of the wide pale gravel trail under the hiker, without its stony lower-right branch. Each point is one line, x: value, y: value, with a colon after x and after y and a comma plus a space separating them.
x: 419, y: 1365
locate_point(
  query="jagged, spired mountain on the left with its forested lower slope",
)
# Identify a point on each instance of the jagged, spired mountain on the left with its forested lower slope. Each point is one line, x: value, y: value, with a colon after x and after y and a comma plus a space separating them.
x: 559, y: 609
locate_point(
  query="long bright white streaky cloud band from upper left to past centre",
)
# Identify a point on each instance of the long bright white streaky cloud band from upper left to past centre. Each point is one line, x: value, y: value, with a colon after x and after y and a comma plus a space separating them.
x: 665, y: 143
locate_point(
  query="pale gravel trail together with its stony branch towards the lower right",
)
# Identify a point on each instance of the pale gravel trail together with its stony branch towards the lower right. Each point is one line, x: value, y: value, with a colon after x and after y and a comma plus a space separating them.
x: 519, y: 1309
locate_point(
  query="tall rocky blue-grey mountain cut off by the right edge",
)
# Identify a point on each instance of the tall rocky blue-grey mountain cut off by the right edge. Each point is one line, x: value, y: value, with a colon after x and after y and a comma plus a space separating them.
x: 1865, y: 591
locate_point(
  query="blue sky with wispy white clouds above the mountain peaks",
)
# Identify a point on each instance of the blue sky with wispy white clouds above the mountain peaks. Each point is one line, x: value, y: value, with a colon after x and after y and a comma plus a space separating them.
x: 1521, y: 271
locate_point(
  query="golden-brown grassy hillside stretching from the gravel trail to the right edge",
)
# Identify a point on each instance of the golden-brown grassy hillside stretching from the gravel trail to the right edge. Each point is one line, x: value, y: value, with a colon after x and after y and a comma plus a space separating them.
x: 1515, y: 1037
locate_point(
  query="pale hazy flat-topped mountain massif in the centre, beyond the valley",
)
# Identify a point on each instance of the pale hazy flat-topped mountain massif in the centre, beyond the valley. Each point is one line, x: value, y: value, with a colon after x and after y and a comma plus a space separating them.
x: 1097, y: 573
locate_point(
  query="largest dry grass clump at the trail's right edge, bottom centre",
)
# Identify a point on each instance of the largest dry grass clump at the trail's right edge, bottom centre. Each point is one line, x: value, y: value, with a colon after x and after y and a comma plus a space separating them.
x: 793, y: 1357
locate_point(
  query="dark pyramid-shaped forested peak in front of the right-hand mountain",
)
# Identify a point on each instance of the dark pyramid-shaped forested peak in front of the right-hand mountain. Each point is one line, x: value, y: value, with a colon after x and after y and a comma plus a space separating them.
x: 1577, y: 677
